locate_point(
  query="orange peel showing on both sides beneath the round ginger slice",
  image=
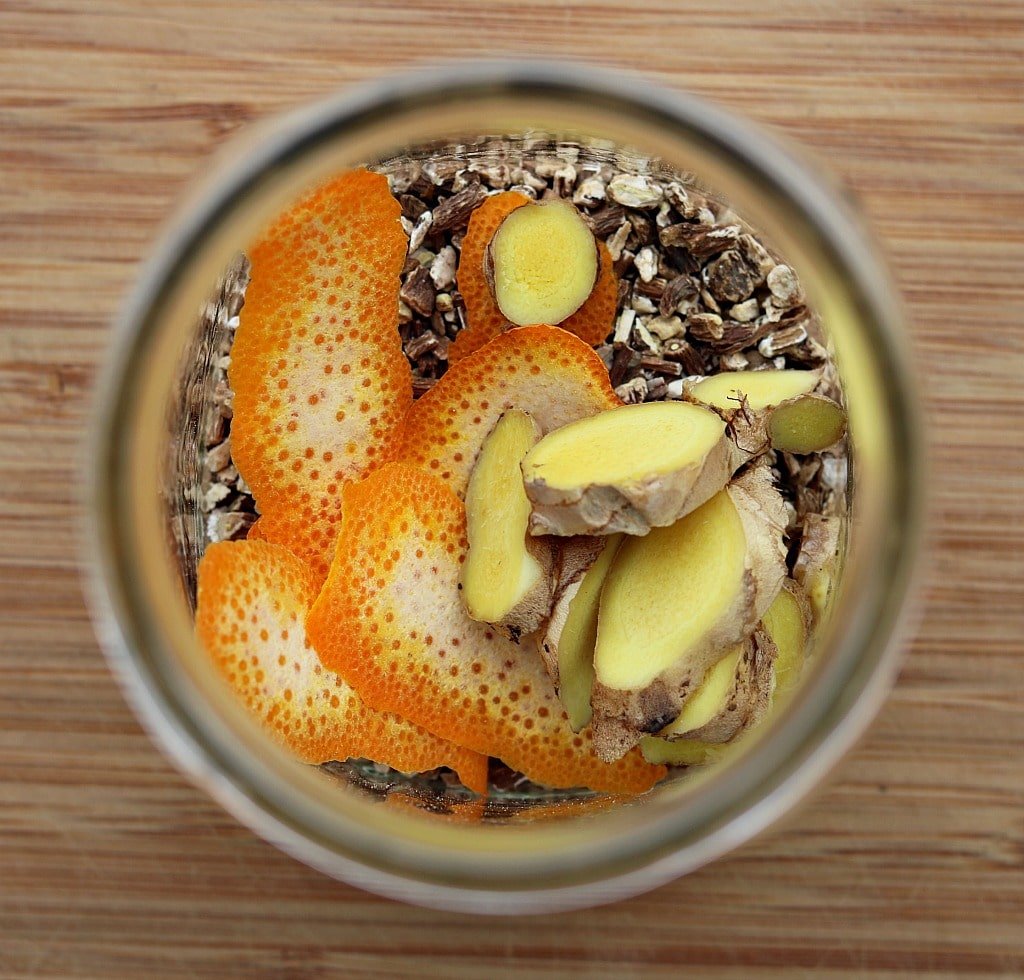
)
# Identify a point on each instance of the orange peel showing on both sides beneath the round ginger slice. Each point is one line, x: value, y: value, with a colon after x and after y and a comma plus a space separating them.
x: 592, y: 323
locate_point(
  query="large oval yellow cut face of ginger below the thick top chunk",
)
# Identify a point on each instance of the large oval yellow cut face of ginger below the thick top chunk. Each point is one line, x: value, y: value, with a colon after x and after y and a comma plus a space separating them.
x: 667, y: 591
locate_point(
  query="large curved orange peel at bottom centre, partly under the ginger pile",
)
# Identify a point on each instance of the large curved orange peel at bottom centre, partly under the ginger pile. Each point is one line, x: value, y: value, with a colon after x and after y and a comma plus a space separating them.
x: 391, y: 621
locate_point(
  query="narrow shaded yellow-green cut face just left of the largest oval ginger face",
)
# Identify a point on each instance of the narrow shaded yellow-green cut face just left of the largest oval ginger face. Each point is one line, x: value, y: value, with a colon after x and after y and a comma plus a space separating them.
x: 579, y: 637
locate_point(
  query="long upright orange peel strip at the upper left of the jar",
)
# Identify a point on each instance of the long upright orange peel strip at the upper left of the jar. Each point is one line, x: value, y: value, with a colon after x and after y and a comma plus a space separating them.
x: 321, y: 385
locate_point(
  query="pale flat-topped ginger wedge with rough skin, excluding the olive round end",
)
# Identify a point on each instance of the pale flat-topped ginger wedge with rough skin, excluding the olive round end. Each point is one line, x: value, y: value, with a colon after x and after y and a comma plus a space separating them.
x: 749, y: 400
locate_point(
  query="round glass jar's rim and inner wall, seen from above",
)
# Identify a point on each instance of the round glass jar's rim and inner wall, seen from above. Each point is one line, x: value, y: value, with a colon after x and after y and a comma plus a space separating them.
x: 146, y: 540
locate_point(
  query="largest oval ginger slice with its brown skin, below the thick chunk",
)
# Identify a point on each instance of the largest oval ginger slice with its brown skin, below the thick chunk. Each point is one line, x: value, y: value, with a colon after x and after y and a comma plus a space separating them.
x: 677, y: 599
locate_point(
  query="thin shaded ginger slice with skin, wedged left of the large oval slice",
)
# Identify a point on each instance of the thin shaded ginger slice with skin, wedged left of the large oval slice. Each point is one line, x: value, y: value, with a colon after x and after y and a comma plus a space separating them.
x: 568, y: 646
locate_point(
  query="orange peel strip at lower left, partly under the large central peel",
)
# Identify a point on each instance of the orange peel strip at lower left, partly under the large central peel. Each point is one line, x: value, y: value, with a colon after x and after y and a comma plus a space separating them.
x: 252, y: 604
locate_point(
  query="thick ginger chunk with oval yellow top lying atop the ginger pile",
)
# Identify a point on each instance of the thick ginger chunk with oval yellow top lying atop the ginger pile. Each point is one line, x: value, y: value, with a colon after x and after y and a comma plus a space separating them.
x: 637, y: 467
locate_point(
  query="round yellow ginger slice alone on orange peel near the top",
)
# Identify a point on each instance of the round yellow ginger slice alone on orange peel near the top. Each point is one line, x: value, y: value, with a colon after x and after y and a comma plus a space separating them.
x: 543, y: 264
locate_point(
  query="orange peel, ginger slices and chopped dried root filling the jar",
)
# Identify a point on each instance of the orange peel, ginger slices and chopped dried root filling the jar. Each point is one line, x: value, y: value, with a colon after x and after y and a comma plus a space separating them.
x: 526, y: 463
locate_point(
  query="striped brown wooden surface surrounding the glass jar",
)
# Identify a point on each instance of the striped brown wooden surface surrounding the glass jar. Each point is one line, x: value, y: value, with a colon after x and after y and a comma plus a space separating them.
x: 912, y: 864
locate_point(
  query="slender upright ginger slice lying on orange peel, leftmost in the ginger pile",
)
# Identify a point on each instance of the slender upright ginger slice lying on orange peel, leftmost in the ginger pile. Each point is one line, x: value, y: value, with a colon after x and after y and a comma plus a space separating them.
x: 507, y: 579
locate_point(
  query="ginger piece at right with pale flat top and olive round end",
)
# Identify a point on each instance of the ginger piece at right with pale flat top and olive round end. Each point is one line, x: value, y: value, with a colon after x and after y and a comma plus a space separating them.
x: 775, y: 409
